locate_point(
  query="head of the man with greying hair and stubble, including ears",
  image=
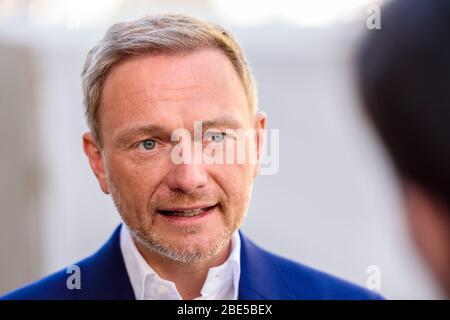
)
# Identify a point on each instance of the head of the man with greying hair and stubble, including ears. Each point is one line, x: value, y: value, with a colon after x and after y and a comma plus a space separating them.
x: 145, y: 80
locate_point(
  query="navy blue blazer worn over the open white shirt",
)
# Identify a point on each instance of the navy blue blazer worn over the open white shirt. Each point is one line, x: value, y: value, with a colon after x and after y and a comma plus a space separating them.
x: 263, y: 276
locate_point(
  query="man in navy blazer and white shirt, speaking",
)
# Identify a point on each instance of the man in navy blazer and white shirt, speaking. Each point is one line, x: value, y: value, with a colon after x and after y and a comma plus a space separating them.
x: 146, y: 83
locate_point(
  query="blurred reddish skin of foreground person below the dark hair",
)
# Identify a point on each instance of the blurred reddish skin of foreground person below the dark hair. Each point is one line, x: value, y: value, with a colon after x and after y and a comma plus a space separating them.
x: 429, y: 222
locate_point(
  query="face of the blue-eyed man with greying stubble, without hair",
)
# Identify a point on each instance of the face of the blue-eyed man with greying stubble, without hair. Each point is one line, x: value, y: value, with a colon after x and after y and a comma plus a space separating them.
x: 146, y: 98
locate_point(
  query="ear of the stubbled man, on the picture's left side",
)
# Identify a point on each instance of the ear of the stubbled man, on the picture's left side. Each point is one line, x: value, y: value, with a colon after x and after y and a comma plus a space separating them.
x: 94, y: 154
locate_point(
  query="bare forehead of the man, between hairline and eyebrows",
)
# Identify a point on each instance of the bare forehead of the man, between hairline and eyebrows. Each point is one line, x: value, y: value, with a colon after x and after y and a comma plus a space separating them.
x: 172, y: 90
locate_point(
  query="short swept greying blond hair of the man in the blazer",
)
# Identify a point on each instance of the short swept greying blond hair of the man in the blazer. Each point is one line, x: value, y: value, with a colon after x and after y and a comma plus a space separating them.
x: 157, y: 34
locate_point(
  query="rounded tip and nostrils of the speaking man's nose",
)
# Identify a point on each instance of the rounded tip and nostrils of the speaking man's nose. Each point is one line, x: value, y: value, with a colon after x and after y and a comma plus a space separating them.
x: 187, y: 177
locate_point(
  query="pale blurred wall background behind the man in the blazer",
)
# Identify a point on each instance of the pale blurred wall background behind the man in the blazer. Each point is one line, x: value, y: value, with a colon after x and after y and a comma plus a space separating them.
x: 334, y: 203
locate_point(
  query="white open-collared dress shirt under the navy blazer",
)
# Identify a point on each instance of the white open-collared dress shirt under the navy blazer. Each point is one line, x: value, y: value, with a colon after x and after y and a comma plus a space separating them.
x: 222, y: 282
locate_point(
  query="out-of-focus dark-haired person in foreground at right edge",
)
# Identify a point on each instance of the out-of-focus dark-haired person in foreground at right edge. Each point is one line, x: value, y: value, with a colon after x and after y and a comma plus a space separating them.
x: 405, y: 75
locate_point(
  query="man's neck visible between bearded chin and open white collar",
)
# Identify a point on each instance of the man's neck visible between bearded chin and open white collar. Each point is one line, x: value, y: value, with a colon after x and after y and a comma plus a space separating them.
x: 189, y: 278
